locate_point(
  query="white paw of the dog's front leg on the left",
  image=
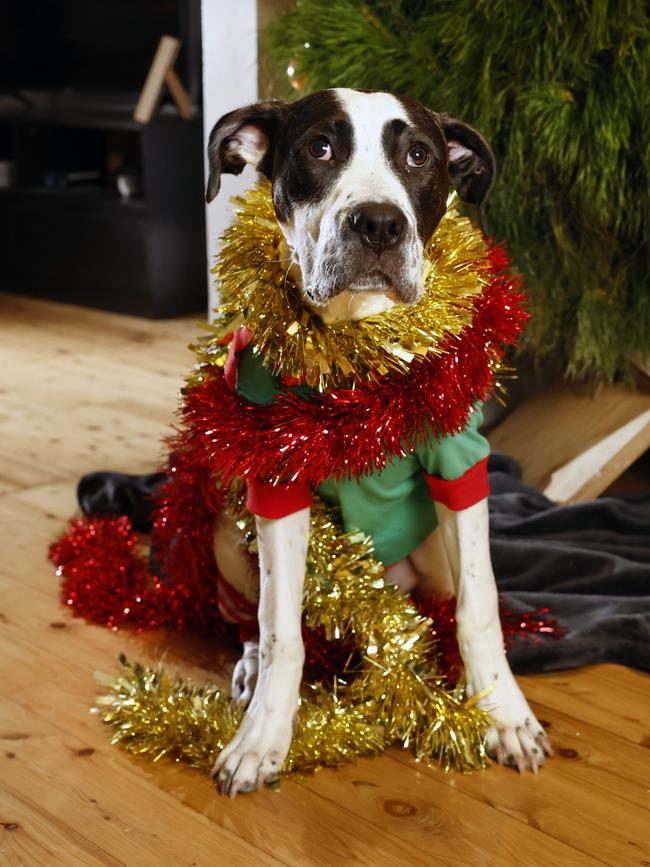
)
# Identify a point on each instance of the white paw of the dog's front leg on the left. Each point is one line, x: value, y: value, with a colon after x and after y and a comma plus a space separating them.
x: 254, y: 755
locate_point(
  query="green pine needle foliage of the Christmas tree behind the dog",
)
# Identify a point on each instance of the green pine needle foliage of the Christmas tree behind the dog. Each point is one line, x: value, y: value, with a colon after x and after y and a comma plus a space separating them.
x: 561, y: 89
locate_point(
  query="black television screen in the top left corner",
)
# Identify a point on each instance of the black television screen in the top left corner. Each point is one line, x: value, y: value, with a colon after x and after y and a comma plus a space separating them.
x: 82, y: 44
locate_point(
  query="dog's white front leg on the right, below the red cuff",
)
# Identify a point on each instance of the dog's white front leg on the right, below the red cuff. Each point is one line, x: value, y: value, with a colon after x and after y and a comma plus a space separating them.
x: 516, y: 738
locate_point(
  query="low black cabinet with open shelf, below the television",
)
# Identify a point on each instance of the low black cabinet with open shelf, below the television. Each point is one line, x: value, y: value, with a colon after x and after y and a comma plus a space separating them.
x: 66, y: 231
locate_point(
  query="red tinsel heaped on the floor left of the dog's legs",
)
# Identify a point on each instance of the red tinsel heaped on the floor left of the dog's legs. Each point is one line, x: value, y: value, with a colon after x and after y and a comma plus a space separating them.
x: 106, y: 581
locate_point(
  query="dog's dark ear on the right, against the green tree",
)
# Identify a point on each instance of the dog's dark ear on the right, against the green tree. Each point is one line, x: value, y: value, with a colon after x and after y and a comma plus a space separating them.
x: 471, y: 161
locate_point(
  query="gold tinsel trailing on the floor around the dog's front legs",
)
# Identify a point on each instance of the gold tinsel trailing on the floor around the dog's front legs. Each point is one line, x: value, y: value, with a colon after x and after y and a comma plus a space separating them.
x: 395, y: 696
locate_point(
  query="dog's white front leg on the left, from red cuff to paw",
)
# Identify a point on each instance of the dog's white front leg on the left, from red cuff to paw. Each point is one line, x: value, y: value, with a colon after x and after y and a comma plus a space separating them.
x: 260, y: 746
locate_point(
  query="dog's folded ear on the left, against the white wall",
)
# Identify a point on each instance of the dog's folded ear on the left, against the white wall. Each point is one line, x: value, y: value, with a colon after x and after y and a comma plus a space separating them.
x: 243, y: 136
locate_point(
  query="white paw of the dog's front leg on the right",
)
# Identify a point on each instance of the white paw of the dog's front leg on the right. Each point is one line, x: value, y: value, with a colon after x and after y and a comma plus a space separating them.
x: 517, y: 738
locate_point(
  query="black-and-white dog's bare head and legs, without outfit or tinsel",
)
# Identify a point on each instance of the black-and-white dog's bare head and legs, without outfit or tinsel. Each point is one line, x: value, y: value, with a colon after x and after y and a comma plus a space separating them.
x: 360, y: 181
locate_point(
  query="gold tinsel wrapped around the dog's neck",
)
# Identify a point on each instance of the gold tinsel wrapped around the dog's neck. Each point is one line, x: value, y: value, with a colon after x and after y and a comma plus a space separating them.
x: 257, y: 290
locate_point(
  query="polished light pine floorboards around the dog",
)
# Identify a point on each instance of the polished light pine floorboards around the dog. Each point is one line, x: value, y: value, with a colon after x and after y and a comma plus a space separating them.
x: 82, y: 390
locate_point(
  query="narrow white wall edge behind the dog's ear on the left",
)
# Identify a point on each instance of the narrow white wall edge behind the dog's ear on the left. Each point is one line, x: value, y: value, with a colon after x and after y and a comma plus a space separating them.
x: 229, y: 35
